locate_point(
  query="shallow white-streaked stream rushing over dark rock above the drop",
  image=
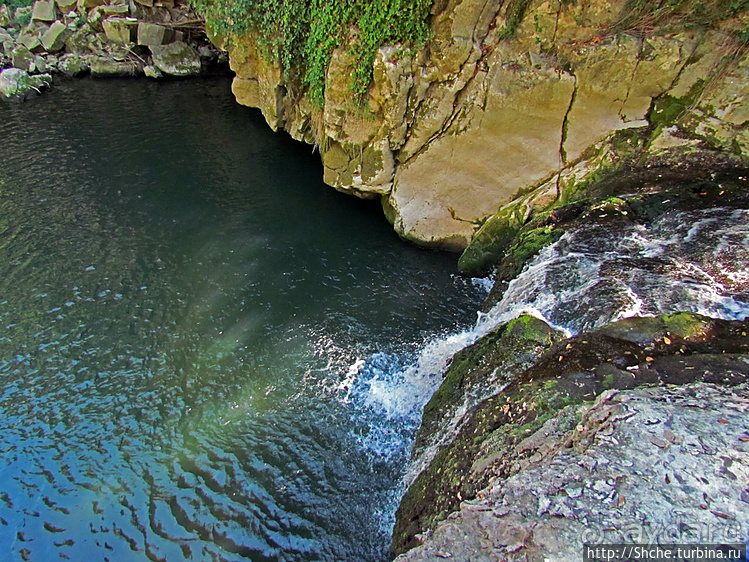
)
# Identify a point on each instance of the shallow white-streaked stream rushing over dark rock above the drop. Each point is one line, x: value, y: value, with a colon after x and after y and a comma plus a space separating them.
x: 696, y: 261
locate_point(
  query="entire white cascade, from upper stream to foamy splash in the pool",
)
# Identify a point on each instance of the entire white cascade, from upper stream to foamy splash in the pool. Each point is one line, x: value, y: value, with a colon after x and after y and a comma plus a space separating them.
x: 684, y: 261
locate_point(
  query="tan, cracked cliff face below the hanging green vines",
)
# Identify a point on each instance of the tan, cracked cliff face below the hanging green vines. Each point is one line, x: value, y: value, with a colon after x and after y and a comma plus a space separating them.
x: 507, y: 98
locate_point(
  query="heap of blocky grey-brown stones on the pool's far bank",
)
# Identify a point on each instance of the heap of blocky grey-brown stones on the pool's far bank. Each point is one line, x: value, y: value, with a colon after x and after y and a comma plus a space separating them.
x: 115, y: 38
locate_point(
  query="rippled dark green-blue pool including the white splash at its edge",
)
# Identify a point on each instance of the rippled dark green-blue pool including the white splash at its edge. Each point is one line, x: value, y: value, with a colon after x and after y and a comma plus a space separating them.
x: 205, y: 353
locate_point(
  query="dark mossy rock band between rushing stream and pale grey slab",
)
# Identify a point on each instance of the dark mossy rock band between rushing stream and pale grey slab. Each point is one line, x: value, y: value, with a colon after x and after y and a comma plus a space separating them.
x: 676, y: 349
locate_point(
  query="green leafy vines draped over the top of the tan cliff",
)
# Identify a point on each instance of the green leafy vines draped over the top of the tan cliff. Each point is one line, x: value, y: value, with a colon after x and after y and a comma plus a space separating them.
x: 301, y: 35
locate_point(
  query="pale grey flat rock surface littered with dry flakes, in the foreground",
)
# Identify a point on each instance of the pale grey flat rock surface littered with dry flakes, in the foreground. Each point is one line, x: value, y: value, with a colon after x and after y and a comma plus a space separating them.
x: 651, y: 465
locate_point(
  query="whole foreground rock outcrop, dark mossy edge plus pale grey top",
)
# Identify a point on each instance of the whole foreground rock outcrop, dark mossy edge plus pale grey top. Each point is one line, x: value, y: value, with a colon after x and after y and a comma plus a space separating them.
x: 633, y: 432
